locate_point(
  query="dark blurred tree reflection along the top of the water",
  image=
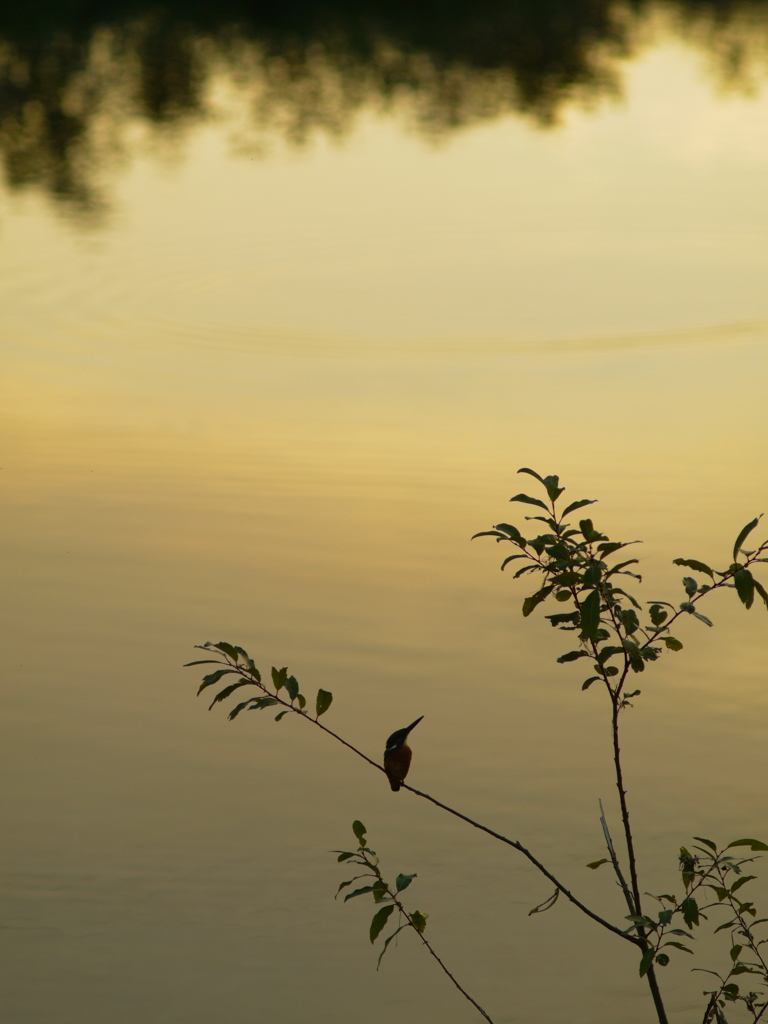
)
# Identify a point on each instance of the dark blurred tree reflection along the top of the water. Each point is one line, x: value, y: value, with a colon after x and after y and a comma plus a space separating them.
x: 71, y: 83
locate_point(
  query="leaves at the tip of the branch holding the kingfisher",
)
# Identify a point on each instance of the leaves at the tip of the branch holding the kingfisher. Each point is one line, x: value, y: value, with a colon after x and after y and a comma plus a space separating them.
x: 237, y: 662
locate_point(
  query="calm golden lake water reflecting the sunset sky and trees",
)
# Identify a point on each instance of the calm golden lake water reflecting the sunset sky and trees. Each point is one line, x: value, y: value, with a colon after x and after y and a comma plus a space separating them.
x: 286, y: 301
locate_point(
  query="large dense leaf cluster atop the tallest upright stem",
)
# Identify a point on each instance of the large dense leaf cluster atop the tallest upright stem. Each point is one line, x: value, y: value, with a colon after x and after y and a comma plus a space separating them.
x: 579, y: 569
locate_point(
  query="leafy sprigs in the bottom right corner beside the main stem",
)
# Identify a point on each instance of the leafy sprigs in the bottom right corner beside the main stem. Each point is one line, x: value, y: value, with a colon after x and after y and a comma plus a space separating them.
x: 713, y: 879
